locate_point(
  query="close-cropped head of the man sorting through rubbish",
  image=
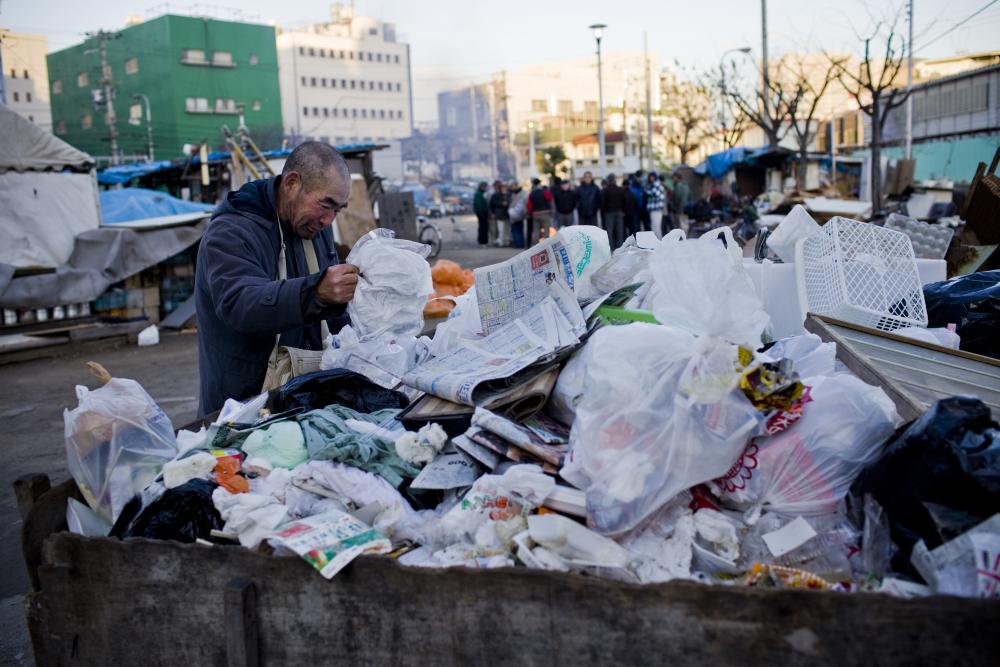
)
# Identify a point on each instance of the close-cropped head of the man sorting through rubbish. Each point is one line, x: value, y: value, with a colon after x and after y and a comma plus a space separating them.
x: 315, y: 185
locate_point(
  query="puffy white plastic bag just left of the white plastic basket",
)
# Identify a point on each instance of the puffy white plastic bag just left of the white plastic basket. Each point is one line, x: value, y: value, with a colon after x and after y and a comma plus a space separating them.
x: 701, y: 286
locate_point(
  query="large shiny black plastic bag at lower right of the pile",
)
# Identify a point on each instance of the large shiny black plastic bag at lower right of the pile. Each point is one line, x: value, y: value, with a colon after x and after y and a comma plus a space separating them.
x: 938, y: 476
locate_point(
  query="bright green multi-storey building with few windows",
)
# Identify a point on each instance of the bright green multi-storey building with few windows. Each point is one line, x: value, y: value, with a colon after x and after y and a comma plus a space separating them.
x: 198, y: 74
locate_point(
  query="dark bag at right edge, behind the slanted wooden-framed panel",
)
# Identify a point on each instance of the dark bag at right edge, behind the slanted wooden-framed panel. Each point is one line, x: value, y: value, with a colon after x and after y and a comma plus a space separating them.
x: 972, y: 304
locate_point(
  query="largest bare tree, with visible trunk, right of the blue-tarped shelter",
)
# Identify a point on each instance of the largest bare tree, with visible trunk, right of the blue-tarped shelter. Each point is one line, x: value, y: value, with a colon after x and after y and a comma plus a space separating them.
x: 873, y: 86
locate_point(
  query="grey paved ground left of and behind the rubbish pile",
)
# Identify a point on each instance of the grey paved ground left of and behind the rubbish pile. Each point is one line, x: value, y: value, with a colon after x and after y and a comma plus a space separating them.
x: 36, y: 393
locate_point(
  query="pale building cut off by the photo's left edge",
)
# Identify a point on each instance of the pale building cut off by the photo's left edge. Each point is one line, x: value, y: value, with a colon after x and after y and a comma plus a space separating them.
x: 26, y: 76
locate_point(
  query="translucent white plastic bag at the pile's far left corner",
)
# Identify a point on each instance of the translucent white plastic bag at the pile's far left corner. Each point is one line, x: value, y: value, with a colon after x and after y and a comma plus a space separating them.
x: 117, y: 441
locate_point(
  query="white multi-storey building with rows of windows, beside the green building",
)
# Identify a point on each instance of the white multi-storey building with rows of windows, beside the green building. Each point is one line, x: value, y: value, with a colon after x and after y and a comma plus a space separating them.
x: 346, y: 82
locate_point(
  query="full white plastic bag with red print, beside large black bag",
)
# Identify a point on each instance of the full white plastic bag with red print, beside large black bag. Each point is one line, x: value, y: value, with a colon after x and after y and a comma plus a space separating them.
x: 808, y: 468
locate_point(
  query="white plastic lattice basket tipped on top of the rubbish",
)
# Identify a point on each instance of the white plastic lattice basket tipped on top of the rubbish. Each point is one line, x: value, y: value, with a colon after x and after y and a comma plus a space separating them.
x: 860, y: 273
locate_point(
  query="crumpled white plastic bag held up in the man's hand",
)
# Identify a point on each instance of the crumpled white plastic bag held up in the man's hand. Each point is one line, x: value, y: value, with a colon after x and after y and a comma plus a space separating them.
x: 393, y: 285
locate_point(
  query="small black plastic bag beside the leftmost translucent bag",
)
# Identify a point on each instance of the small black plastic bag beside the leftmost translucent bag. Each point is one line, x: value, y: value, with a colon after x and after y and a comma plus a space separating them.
x: 183, y: 513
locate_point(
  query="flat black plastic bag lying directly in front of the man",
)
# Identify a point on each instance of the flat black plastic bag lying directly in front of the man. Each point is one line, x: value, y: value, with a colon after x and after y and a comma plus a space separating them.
x: 335, y: 387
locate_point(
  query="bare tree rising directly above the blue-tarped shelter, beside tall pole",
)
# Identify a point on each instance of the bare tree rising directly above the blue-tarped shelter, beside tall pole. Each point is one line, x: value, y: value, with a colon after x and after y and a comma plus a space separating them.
x: 769, y: 106
